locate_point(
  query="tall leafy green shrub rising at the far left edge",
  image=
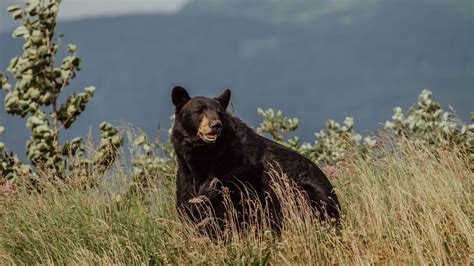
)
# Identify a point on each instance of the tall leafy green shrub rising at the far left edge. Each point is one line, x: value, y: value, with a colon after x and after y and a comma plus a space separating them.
x: 39, y: 84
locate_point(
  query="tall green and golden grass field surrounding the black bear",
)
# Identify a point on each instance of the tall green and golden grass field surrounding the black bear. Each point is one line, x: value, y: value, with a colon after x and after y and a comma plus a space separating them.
x: 413, y: 206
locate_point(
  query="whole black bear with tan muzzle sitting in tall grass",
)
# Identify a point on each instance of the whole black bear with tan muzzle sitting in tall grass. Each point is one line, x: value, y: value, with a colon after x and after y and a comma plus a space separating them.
x: 211, y: 144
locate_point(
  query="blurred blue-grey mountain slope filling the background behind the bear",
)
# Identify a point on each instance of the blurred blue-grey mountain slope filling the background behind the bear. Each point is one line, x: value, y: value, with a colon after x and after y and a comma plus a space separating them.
x: 314, y: 60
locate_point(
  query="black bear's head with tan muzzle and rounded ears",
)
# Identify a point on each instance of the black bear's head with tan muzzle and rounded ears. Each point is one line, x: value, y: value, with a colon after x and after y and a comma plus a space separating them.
x: 202, y: 118
